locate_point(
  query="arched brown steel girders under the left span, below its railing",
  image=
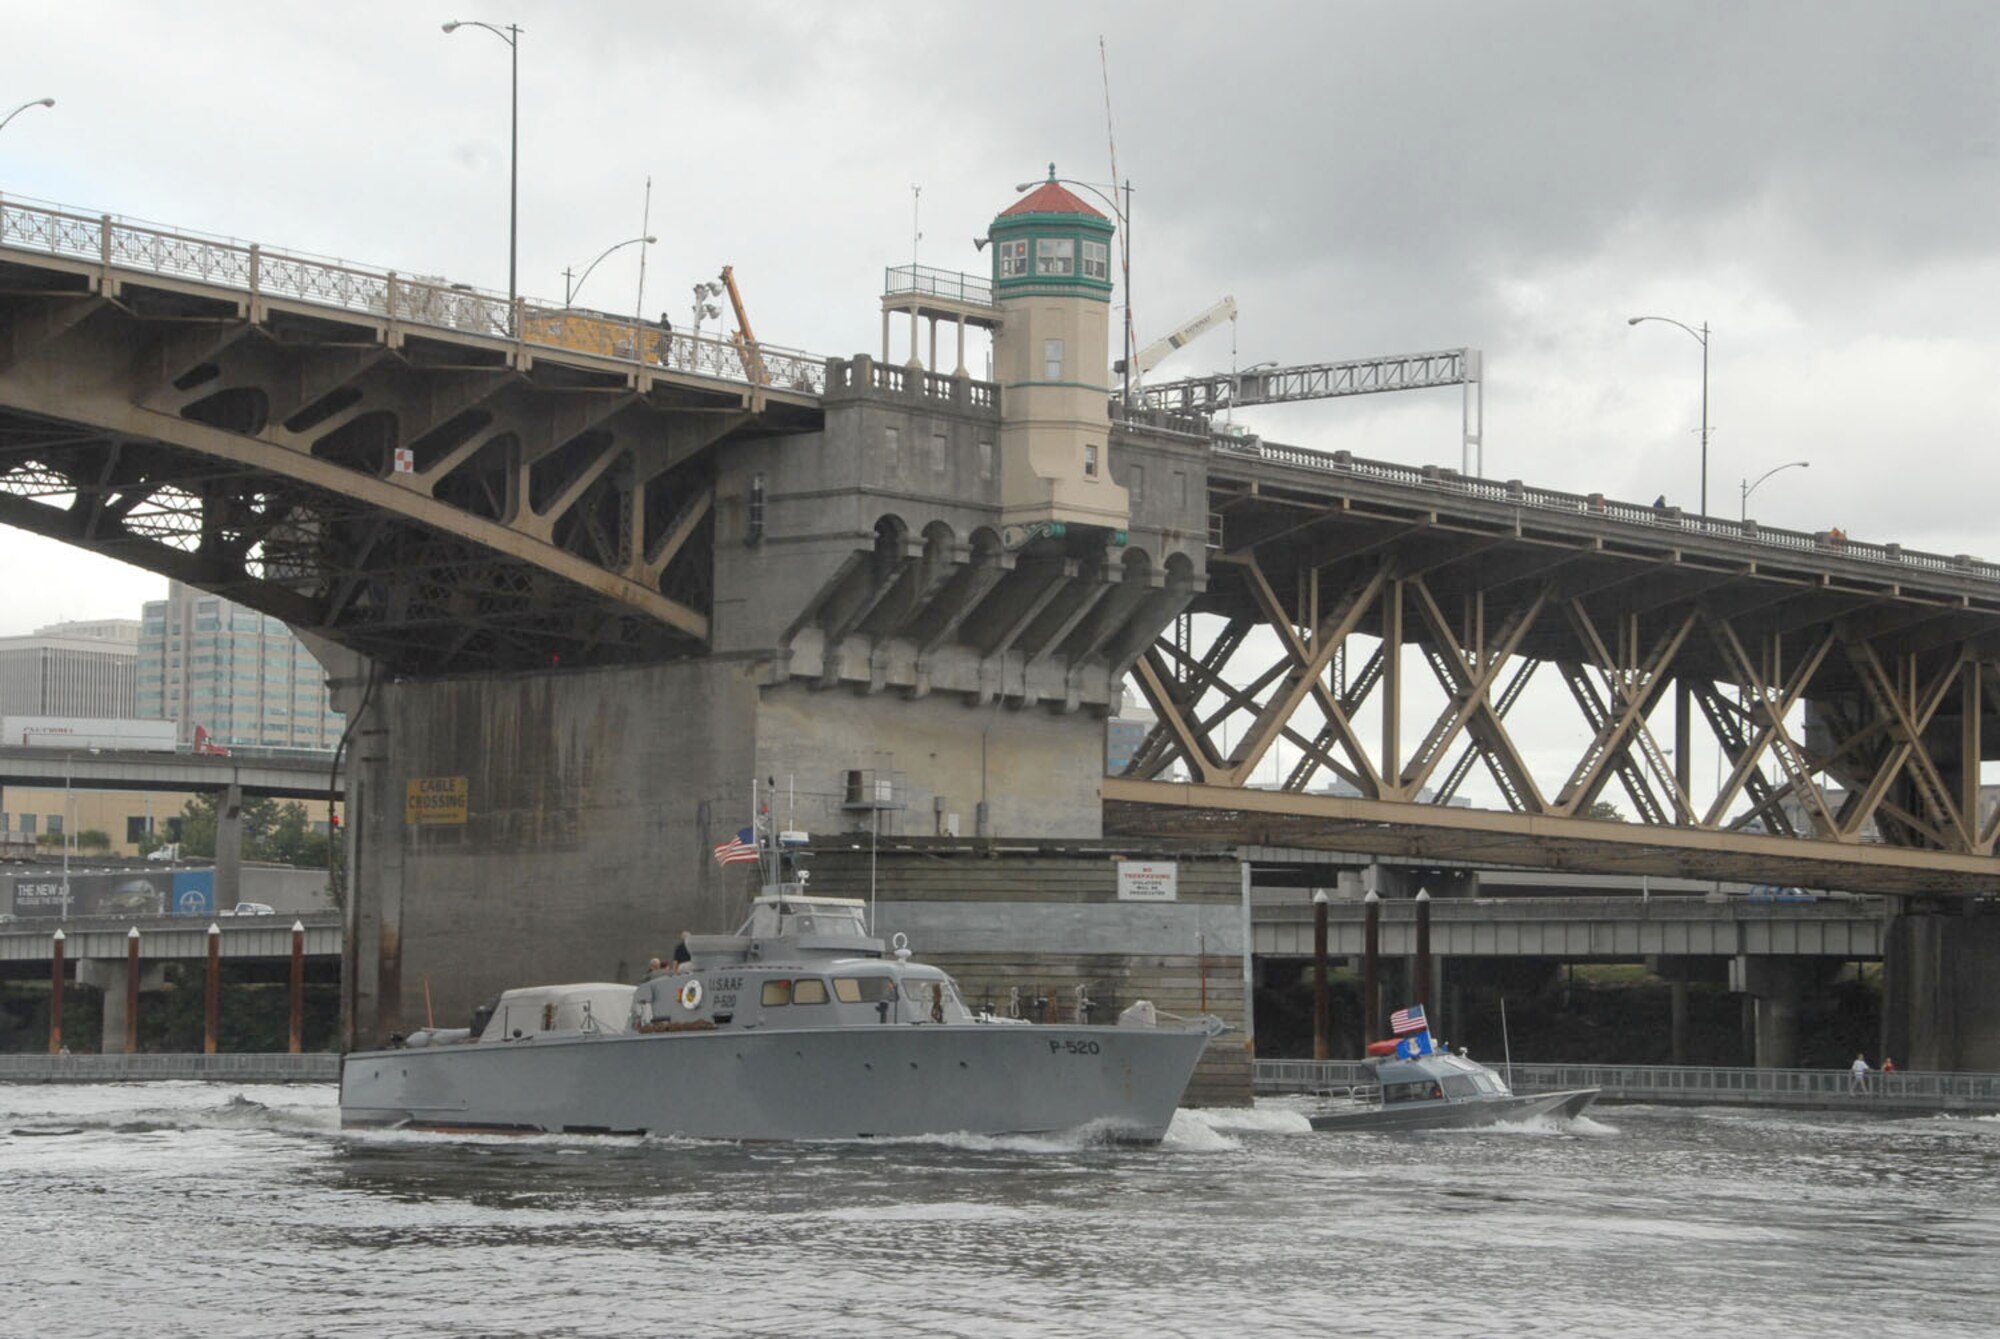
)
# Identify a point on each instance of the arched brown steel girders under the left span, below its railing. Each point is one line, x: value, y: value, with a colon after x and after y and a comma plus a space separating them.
x: 259, y: 463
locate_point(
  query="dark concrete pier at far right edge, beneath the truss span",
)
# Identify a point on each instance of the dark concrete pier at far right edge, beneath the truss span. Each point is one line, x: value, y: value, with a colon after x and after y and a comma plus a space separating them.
x: 1939, y: 1008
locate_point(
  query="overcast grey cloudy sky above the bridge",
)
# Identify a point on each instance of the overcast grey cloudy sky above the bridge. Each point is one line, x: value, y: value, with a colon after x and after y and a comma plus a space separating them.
x: 1815, y: 181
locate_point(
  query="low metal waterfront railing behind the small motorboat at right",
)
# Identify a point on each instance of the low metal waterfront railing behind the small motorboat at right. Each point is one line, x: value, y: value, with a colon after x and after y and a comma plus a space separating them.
x: 1901, y: 1092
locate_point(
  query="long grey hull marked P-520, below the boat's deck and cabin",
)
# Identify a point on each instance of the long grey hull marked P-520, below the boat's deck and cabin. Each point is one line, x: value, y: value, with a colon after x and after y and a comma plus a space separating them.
x: 775, y: 1084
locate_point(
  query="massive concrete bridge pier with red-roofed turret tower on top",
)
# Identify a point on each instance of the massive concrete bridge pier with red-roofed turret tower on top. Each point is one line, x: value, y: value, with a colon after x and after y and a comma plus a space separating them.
x: 921, y: 611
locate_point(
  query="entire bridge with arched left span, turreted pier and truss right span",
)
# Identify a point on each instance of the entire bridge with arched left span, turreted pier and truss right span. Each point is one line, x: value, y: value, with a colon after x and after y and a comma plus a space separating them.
x: 597, y: 579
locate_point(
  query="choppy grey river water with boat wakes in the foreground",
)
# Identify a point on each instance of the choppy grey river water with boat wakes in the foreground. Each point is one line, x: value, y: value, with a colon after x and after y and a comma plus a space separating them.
x: 207, y: 1210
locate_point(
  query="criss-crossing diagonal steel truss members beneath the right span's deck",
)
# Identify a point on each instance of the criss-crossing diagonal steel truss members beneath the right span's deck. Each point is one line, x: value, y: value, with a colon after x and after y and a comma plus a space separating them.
x: 1871, y: 768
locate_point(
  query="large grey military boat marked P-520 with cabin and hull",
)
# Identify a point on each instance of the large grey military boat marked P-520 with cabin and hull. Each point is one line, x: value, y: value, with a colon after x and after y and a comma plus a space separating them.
x: 799, y: 1026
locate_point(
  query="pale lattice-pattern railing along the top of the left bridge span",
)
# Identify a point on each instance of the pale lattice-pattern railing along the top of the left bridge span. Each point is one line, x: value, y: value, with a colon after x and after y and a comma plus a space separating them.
x: 417, y: 301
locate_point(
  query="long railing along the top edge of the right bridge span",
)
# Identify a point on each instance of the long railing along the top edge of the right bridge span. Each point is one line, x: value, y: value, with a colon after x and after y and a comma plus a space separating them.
x: 1517, y: 495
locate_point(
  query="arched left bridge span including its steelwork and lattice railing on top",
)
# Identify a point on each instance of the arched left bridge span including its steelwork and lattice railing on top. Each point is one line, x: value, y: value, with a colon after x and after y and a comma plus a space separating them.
x: 319, y: 445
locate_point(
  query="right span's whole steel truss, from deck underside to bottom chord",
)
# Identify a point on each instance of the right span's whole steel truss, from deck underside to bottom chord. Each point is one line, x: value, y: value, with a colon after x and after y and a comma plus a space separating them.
x: 1367, y: 645
